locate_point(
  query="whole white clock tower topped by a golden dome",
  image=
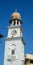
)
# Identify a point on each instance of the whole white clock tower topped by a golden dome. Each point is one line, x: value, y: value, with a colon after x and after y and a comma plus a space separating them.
x: 14, y: 43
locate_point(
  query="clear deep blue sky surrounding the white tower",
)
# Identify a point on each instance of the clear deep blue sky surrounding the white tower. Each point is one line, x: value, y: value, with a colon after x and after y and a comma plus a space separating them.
x: 25, y: 7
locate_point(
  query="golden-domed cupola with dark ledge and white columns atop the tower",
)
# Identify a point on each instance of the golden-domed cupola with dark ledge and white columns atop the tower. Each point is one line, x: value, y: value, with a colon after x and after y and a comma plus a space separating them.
x: 15, y: 19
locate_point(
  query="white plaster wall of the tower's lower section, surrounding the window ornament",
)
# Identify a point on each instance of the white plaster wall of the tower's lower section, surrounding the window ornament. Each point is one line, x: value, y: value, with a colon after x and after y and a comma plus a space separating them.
x: 18, y: 52
